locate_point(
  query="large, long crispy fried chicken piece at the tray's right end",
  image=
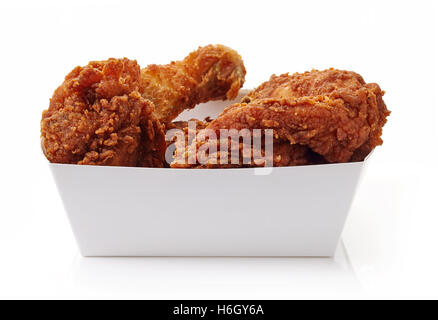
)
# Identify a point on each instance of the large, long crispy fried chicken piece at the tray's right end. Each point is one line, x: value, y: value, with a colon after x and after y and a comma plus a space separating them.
x: 329, y: 115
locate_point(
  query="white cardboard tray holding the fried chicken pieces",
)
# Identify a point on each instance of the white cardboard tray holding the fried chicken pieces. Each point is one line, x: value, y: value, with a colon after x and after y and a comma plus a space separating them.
x: 286, y: 211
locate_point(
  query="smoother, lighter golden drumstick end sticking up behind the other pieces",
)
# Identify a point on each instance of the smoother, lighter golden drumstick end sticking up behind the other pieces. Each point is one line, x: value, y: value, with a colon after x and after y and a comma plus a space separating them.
x: 213, y: 72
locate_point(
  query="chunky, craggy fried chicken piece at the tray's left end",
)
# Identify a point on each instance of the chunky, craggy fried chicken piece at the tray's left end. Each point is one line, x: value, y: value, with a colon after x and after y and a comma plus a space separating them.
x: 98, y: 117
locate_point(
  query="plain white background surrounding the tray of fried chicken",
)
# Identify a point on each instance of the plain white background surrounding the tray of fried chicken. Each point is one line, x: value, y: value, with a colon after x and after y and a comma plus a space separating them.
x: 391, y: 236
